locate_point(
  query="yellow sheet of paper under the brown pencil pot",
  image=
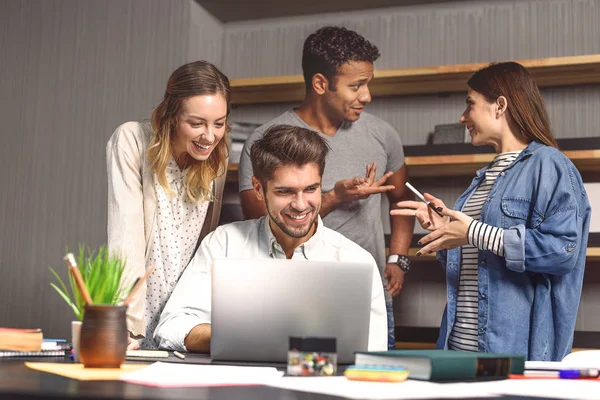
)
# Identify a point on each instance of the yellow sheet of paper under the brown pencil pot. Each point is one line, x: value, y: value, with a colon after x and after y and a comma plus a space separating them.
x: 77, y: 371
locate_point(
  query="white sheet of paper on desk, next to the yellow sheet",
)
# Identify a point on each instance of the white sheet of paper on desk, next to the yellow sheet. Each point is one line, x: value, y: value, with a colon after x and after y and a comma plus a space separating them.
x: 186, y: 375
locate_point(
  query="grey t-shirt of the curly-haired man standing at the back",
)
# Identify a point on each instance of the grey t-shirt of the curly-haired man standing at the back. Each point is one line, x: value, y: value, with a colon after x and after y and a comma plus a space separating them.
x: 353, y: 146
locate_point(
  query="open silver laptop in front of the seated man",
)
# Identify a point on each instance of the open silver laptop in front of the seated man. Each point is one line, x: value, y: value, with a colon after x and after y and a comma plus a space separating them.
x: 258, y: 304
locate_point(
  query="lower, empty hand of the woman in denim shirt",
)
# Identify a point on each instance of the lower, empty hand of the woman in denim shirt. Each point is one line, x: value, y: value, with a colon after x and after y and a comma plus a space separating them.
x: 450, y: 235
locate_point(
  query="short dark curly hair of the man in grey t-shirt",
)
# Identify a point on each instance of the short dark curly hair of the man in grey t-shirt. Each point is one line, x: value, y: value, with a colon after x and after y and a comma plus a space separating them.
x: 326, y: 50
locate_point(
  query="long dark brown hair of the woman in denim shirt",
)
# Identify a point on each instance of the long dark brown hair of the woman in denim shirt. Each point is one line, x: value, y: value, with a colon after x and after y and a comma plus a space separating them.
x: 527, y: 116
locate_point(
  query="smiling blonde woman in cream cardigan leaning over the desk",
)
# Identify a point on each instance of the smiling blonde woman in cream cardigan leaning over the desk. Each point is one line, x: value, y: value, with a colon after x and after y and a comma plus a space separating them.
x: 165, y: 185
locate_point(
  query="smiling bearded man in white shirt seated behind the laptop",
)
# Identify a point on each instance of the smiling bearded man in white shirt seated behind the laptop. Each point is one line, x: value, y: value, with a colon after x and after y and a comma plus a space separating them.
x: 288, y: 164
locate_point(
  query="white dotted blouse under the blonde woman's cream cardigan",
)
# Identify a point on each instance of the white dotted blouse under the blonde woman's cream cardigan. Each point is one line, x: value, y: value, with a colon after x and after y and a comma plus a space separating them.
x: 177, y: 228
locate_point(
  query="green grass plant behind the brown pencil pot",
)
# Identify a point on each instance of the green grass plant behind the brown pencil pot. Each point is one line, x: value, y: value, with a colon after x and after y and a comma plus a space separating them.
x: 101, y: 272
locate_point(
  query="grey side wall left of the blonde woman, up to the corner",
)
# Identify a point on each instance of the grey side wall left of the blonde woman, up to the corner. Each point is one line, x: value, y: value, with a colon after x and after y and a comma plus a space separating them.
x: 71, y: 71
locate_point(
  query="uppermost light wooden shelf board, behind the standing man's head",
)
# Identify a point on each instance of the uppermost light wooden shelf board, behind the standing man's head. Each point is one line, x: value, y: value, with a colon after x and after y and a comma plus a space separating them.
x: 547, y: 72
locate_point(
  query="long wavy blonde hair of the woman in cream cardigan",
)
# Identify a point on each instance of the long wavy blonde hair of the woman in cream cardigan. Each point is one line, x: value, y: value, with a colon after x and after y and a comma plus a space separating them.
x: 194, y: 79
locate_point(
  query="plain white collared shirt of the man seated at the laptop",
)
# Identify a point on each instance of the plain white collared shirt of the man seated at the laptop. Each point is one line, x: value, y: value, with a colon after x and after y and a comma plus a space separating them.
x: 190, y: 303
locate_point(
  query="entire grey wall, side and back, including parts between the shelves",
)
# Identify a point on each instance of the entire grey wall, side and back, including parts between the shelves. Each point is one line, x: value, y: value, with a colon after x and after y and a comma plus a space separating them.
x: 72, y: 70
